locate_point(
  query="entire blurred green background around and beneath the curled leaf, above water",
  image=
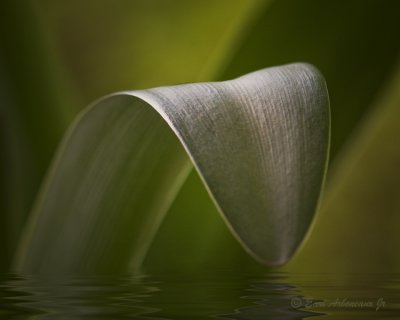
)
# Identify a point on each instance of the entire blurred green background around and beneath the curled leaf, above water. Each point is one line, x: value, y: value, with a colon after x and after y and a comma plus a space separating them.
x: 58, y: 56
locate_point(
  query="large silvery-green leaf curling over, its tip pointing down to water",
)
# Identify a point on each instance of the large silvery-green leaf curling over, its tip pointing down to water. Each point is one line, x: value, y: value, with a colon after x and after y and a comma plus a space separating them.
x: 259, y: 144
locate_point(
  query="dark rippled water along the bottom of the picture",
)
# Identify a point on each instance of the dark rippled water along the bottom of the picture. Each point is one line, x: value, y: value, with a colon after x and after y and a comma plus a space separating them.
x: 219, y: 295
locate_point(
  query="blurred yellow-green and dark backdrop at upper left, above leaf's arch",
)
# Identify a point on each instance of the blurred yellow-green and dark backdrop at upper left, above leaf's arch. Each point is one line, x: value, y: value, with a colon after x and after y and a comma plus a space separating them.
x: 56, y: 57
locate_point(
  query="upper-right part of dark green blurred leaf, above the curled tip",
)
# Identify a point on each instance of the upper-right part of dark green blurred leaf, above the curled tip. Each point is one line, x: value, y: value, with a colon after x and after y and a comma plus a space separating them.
x: 361, y: 38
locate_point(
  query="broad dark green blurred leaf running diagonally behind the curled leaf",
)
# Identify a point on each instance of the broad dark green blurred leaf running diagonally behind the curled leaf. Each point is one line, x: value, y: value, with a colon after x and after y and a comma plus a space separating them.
x: 356, y: 58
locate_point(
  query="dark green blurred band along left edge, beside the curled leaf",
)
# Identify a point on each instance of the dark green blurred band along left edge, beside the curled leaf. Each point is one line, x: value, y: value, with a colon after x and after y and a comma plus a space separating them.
x: 36, y: 106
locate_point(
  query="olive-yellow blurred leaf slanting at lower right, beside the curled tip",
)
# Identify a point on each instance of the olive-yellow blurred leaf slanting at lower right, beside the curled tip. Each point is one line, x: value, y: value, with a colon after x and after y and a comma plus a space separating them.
x: 362, y: 198
